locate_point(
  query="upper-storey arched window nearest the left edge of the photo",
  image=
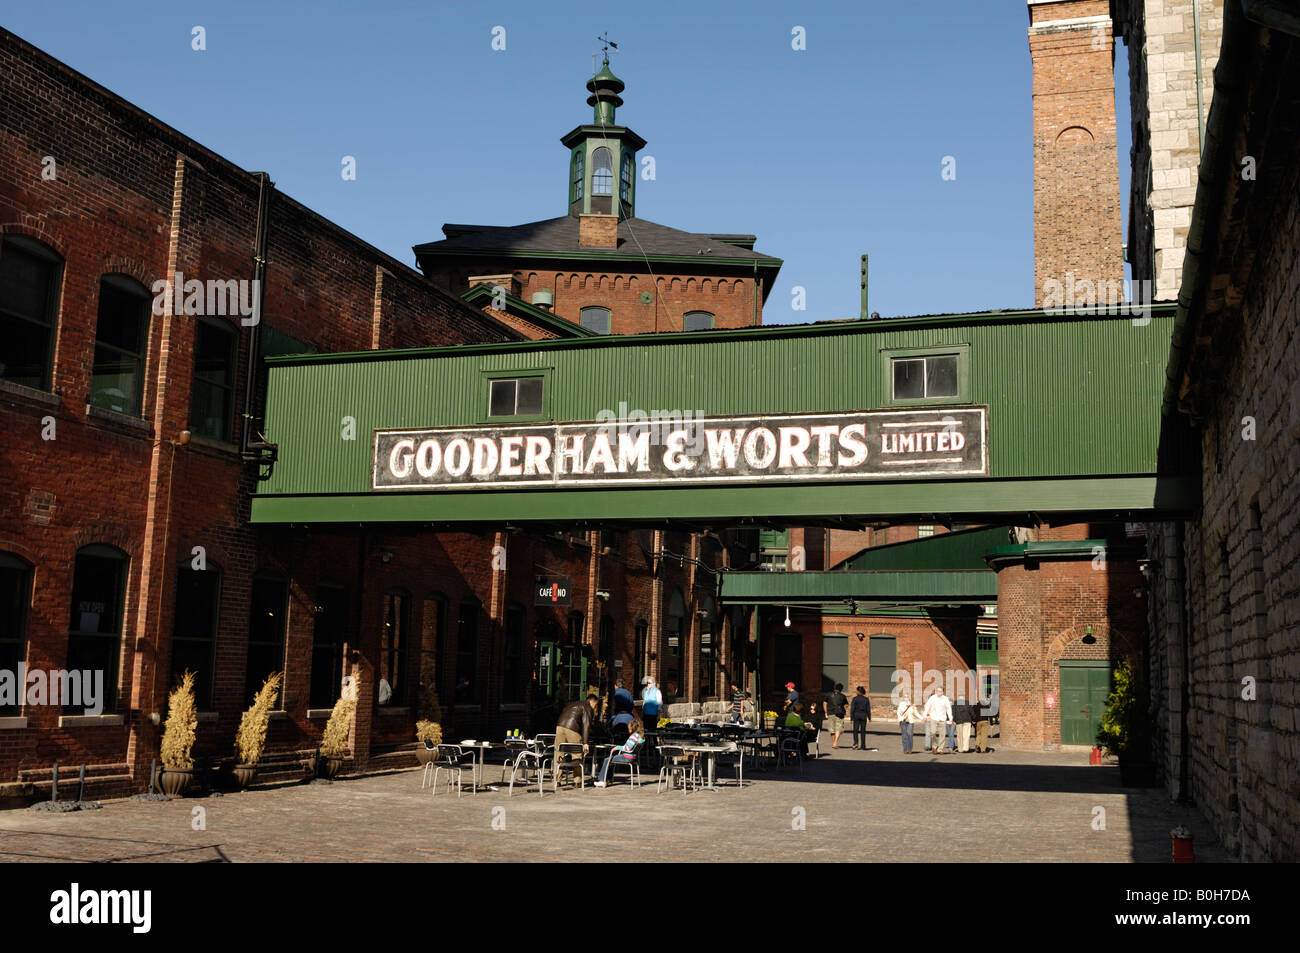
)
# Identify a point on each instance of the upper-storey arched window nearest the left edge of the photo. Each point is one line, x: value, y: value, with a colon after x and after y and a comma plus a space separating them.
x: 29, y: 296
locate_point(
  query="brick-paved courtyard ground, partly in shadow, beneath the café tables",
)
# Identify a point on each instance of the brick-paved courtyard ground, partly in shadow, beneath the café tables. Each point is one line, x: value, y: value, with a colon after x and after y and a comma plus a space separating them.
x: 853, y: 807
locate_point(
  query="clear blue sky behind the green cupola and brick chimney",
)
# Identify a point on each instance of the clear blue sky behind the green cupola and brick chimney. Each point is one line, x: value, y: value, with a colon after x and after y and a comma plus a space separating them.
x: 825, y: 154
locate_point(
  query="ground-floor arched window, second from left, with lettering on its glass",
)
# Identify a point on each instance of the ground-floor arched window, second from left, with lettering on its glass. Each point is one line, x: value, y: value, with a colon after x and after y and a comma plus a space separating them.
x: 96, y: 625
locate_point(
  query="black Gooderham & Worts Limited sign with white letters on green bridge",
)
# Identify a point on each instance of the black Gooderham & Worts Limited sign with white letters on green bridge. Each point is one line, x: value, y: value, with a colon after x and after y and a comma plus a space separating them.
x: 868, y: 445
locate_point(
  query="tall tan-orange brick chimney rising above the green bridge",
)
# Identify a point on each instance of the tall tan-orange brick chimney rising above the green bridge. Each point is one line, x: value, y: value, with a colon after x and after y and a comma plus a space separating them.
x: 1077, y: 219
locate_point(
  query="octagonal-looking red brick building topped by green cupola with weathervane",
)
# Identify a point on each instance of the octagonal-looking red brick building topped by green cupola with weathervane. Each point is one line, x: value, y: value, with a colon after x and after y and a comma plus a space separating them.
x: 601, y: 266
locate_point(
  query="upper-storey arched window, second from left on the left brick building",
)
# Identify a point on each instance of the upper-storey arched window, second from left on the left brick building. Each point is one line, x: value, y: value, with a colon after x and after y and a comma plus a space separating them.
x: 118, y: 378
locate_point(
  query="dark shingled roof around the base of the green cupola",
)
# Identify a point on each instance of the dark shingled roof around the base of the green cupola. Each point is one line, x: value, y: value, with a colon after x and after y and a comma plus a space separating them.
x: 561, y: 235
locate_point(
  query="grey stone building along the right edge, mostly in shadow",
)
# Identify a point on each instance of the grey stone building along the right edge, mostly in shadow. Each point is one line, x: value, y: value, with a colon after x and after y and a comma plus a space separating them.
x: 1224, y: 647
